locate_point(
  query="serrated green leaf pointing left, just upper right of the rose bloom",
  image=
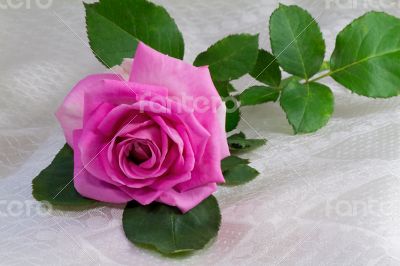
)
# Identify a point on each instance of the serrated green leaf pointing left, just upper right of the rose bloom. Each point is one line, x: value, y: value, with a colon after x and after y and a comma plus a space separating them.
x: 231, y: 57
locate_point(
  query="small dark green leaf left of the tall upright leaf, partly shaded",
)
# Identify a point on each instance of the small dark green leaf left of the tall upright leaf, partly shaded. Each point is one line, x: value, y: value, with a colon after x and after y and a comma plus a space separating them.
x: 267, y: 69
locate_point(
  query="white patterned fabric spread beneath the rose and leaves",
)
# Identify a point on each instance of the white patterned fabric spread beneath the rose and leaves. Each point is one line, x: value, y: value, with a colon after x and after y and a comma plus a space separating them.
x: 329, y: 198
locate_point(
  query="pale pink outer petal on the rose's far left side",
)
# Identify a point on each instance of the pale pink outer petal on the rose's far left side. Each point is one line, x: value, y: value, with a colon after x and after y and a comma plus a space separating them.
x: 70, y: 113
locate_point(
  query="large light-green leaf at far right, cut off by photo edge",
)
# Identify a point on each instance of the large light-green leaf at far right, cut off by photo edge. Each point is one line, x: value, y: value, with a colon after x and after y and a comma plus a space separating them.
x: 366, y: 59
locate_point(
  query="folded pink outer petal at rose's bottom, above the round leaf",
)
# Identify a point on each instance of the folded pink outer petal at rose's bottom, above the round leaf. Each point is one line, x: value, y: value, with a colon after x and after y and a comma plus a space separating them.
x: 188, y: 199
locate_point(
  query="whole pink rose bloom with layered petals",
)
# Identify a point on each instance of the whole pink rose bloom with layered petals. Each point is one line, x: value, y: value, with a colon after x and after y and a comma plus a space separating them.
x: 145, y: 136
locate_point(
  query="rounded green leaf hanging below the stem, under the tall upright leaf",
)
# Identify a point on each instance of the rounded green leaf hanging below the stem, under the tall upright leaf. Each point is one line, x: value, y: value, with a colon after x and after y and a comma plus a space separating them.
x: 308, y: 107
